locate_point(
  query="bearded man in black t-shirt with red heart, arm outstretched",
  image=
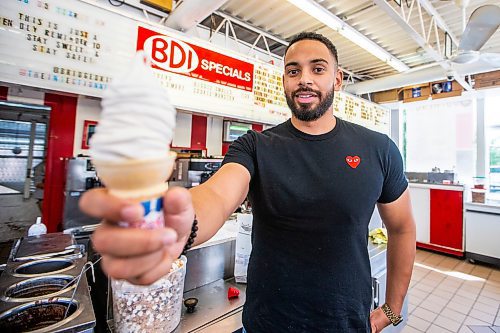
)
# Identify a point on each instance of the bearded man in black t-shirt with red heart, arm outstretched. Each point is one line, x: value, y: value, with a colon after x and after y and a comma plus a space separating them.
x: 313, y: 183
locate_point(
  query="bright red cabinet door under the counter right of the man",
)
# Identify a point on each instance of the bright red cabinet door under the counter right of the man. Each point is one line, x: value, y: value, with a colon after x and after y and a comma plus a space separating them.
x: 446, y: 218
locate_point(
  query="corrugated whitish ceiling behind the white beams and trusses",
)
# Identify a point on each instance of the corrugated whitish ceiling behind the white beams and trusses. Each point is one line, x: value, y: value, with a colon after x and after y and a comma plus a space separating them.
x: 283, y: 19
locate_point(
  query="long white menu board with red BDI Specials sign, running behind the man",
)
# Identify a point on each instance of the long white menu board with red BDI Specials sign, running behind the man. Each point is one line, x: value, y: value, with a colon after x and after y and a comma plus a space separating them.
x: 76, y: 47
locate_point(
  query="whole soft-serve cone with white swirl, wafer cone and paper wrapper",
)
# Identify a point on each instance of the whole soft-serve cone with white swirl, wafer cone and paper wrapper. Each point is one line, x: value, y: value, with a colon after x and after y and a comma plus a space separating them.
x: 130, y: 148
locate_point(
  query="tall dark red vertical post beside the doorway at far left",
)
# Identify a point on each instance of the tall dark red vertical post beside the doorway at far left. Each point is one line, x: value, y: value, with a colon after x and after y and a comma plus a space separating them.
x: 60, y: 146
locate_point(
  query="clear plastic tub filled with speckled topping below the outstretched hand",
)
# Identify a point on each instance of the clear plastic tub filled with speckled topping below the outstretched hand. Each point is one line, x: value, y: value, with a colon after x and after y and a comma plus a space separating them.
x: 155, y: 308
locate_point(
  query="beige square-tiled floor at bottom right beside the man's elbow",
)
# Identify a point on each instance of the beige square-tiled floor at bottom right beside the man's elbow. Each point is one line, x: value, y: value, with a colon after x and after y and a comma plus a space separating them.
x: 453, y: 295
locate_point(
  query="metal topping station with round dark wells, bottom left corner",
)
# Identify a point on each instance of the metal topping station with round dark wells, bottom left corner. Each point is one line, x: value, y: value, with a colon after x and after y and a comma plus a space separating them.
x: 40, y: 290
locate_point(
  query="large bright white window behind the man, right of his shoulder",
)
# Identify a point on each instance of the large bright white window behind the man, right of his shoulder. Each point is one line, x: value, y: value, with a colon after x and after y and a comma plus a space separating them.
x: 440, y: 134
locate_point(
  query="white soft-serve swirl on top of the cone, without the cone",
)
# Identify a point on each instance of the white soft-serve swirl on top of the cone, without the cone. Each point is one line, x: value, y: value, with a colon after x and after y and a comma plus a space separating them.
x: 137, y: 119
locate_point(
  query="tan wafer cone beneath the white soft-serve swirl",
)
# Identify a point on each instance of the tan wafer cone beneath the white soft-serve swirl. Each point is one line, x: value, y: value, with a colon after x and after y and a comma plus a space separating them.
x: 138, y: 180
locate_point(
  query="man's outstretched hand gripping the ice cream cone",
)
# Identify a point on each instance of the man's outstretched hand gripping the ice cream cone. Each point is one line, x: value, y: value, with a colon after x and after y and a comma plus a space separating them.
x: 139, y: 256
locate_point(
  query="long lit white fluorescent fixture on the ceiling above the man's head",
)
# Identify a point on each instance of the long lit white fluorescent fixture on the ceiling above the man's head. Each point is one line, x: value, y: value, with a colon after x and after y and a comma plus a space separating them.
x: 326, y: 17
